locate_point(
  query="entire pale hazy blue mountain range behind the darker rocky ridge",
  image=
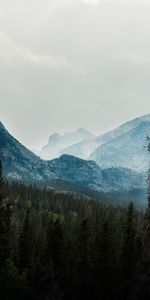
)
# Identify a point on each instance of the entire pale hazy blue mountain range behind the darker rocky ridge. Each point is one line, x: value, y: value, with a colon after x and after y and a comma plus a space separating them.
x: 122, y: 147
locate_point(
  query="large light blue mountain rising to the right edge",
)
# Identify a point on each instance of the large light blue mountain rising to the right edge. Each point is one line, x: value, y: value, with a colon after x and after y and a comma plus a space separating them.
x: 124, y: 146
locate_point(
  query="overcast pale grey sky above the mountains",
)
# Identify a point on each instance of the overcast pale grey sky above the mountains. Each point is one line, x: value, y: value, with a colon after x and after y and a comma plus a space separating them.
x: 66, y: 64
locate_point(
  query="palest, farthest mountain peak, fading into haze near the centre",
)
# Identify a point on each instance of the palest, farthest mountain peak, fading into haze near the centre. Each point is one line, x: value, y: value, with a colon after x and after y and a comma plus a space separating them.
x: 58, y: 142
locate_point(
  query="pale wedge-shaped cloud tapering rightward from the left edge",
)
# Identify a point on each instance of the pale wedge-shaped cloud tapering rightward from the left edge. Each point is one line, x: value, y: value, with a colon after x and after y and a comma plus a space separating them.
x: 13, y: 53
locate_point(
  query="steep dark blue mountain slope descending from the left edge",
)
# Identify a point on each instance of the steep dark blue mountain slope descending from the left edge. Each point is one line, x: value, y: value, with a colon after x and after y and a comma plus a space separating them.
x: 18, y: 162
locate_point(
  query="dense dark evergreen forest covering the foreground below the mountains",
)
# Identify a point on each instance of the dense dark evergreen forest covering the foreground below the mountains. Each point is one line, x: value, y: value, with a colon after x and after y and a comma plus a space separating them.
x: 54, y: 245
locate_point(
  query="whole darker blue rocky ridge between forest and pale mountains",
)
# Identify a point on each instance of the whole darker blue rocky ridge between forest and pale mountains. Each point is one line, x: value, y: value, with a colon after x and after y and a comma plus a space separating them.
x: 22, y: 165
